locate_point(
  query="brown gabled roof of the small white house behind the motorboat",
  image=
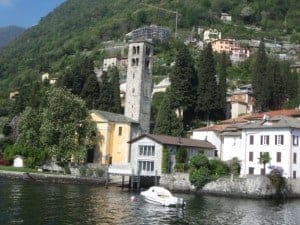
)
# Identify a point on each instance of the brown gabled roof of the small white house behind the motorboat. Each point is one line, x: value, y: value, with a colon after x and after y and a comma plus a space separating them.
x: 178, y: 141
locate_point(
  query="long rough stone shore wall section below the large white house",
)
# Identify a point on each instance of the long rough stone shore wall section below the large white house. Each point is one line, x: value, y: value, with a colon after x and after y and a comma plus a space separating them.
x: 252, y: 187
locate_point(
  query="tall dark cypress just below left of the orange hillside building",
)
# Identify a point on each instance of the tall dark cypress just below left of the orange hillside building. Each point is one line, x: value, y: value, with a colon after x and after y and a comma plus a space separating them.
x: 208, y: 94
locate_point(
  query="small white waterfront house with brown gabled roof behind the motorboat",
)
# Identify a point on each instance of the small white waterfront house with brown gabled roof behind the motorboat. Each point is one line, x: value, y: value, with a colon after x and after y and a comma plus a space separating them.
x: 147, y: 152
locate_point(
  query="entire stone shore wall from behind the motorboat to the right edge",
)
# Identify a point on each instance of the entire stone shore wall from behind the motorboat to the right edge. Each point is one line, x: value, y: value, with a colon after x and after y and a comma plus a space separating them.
x: 250, y: 187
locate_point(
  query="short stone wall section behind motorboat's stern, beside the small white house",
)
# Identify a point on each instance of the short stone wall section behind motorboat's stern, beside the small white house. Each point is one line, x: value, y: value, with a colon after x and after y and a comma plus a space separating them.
x: 176, y: 182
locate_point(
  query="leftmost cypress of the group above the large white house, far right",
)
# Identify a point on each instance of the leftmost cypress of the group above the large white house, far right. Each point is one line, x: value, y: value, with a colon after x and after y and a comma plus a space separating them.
x: 259, y: 78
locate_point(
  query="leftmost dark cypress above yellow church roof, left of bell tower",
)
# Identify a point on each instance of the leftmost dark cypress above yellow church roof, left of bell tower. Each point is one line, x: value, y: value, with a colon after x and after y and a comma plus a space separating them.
x: 91, y: 91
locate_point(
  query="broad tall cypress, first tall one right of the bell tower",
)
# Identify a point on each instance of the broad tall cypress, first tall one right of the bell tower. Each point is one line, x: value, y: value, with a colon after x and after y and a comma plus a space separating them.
x: 183, y: 82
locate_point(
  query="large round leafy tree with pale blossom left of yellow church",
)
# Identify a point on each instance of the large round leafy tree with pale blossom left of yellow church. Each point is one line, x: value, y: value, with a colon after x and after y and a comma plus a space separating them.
x: 65, y: 129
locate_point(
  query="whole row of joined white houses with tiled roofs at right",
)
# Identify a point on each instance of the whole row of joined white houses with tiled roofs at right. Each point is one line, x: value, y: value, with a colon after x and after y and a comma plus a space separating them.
x: 249, y: 138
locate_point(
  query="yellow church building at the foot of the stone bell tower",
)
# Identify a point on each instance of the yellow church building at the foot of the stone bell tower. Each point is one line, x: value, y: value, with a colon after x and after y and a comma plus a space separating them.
x: 114, y: 131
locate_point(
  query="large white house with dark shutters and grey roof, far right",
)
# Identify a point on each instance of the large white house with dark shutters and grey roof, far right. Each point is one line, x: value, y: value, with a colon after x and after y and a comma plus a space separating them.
x: 279, y: 137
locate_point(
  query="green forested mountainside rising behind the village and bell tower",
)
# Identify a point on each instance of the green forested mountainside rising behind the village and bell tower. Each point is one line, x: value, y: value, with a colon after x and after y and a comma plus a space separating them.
x: 81, y: 27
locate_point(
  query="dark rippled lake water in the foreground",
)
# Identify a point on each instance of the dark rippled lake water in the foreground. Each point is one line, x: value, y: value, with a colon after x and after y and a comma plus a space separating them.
x: 54, y: 204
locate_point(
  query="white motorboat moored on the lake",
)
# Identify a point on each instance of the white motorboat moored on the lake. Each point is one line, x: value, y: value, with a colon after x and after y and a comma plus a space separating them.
x: 161, y: 196
